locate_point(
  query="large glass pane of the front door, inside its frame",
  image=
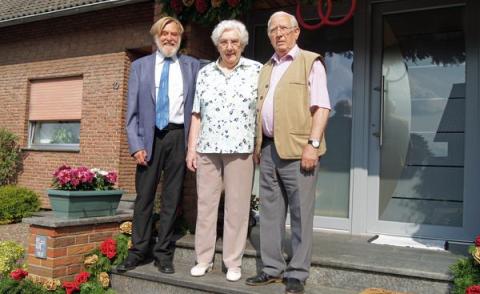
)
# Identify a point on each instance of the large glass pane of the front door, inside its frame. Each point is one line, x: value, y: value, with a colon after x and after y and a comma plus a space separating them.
x: 422, y: 156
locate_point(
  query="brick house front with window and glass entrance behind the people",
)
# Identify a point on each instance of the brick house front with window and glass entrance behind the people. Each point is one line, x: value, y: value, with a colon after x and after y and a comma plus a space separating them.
x: 403, y: 78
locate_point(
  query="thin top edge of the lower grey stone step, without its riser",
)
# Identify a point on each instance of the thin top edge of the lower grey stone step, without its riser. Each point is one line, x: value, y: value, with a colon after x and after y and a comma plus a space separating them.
x: 200, y: 284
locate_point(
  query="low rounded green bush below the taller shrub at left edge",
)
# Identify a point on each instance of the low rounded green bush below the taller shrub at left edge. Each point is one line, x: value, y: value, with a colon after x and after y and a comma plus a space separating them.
x: 17, y: 203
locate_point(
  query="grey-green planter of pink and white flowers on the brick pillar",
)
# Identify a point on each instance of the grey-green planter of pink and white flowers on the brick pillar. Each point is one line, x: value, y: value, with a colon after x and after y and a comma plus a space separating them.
x: 81, y: 192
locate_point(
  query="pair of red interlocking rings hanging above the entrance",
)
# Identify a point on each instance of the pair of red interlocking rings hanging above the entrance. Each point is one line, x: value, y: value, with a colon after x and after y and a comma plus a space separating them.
x: 325, y: 17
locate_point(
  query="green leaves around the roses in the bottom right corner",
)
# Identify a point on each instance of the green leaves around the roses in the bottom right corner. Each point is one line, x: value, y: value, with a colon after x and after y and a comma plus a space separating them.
x: 466, y: 273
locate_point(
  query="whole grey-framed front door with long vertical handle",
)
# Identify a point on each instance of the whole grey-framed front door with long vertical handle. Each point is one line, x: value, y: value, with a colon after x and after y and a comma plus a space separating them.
x: 423, y: 123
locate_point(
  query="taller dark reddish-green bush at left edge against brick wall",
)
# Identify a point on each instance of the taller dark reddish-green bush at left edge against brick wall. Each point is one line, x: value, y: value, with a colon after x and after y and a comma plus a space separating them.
x: 10, y: 158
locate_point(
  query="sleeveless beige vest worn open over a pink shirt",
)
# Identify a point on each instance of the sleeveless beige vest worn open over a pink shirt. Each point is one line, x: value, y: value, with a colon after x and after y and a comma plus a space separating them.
x: 292, y: 118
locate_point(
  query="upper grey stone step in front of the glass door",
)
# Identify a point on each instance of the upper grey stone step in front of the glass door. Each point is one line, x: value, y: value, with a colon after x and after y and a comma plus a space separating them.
x: 350, y: 262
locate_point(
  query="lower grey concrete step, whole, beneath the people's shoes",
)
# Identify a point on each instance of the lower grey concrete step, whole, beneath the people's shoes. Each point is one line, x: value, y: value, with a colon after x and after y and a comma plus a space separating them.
x: 148, y: 280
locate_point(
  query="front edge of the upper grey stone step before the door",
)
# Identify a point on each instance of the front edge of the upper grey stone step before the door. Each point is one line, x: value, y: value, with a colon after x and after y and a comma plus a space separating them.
x: 350, y: 266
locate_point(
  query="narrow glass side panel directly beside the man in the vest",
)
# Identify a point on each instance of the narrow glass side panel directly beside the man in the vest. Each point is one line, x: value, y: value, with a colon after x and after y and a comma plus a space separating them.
x: 333, y: 185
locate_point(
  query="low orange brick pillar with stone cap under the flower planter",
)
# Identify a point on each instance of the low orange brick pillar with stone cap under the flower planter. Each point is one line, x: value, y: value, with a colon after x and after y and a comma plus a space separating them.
x: 67, y: 242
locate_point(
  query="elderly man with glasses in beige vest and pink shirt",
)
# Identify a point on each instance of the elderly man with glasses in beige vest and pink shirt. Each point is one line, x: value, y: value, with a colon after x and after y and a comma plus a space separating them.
x: 292, y: 113
